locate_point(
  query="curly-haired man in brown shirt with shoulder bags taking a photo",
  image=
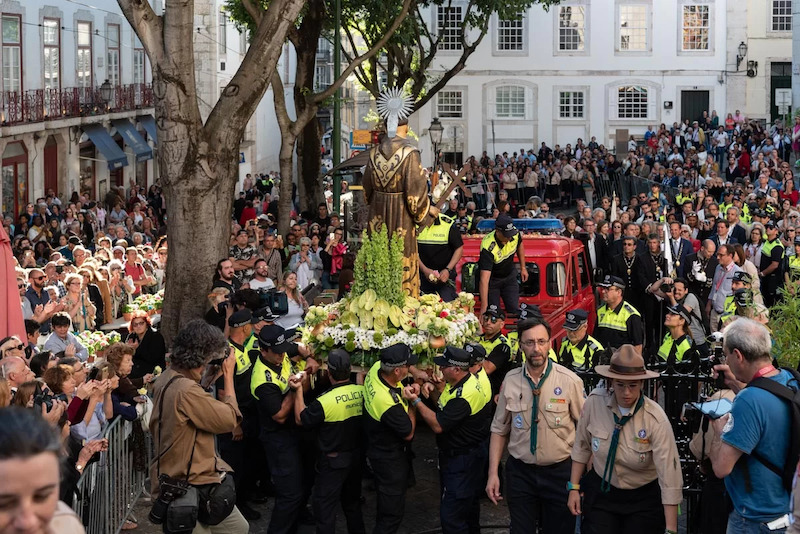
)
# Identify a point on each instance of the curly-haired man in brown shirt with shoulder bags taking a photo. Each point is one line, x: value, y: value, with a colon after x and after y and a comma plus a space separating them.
x: 192, y: 488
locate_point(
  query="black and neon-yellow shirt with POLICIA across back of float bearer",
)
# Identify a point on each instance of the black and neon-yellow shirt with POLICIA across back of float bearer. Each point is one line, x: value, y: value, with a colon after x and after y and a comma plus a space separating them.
x: 338, y: 414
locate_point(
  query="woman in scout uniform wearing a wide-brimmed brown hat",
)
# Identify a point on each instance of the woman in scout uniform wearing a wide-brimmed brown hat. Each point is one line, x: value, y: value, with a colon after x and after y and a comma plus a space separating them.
x: 634, y: 486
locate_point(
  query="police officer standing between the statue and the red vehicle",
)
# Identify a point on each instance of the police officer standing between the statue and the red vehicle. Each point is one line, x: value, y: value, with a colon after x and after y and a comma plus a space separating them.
x: 440, y: 248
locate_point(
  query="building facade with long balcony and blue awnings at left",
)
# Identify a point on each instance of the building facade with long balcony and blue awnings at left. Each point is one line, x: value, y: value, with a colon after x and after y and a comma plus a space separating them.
x: 75, y: 102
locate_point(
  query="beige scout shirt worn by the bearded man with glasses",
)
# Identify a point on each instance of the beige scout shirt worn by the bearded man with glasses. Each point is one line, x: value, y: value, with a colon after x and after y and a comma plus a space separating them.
x: 558, y: 409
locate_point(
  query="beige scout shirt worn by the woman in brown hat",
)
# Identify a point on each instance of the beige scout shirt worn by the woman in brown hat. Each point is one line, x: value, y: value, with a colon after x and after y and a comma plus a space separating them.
x: 646, y: 450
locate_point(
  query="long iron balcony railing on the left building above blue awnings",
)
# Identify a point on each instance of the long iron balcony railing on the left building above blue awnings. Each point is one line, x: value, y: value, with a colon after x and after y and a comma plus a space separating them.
x: 40, y: 105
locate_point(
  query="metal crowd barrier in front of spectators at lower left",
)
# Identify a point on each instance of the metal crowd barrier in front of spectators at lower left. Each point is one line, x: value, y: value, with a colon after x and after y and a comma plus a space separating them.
x: 109, y: 488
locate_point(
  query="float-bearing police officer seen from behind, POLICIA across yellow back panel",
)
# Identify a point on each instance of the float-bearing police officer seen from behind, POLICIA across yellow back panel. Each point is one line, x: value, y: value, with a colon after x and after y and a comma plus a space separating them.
x: 337, y: 414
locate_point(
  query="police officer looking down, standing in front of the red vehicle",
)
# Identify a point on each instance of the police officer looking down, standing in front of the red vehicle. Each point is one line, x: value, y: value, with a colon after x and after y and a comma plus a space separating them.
x: 498, y: 274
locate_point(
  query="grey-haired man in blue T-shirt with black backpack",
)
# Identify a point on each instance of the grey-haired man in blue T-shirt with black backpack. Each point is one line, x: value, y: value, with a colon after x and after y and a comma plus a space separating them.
x: 753, y: 456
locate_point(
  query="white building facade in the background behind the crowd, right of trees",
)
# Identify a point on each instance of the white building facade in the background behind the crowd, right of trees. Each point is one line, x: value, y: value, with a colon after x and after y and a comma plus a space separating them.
x: 587, y: 68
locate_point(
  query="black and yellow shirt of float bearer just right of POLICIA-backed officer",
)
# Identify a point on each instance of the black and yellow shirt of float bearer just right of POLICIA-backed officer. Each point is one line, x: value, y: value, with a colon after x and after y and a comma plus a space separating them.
x: 386, y: 421
